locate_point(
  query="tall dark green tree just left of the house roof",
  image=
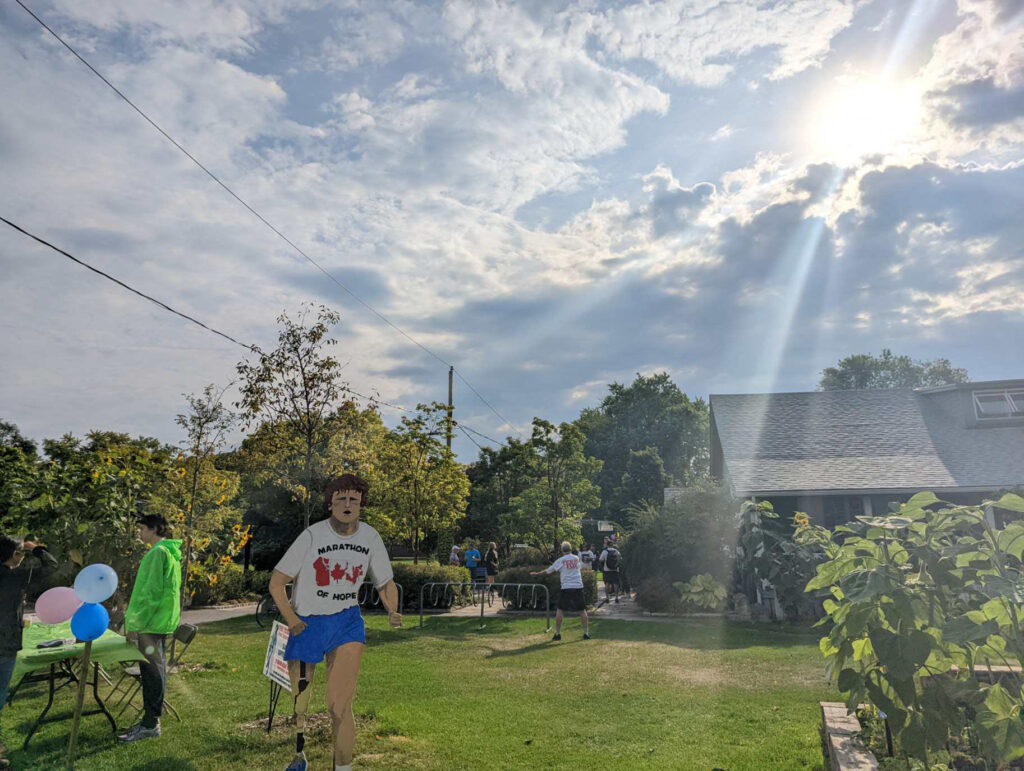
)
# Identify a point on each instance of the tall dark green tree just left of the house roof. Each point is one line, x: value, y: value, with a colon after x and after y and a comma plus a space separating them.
x: 650, y: 413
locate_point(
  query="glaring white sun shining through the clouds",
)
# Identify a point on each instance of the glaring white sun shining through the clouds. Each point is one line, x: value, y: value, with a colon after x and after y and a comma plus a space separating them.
x: 864, y: 118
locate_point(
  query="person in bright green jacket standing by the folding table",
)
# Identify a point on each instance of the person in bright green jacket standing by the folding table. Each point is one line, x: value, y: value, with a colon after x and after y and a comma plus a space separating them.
x: 154, y: 614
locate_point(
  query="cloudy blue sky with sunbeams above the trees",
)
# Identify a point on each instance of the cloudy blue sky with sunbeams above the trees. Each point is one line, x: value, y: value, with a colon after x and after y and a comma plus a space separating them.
x: 550, y: 196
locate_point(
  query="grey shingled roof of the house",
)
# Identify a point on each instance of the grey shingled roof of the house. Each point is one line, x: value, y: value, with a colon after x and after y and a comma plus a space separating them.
x: 891, y: 440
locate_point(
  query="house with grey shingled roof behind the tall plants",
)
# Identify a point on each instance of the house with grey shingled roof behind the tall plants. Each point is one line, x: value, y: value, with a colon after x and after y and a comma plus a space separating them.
x: 836, y: 455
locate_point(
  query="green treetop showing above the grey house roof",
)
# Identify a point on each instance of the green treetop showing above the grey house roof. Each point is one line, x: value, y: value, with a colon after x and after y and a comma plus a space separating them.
x: 888, y: 371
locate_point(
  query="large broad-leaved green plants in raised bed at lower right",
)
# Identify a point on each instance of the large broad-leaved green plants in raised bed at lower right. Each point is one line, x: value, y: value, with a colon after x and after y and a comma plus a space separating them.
x: 916, y: 602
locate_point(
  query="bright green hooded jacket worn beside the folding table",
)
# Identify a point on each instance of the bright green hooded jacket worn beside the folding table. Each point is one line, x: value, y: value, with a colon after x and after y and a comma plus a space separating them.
x: 156, y: 599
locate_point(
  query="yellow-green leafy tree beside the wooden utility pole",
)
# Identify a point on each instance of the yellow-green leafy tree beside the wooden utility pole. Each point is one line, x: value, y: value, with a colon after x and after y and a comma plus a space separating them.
x: 417, y: 487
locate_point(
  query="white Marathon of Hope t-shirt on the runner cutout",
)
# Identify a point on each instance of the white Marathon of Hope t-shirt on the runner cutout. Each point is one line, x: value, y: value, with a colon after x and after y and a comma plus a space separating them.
x: 329, y: 569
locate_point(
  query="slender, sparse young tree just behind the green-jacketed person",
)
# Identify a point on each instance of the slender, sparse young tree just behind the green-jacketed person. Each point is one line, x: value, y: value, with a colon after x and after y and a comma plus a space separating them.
x: 205, y: 488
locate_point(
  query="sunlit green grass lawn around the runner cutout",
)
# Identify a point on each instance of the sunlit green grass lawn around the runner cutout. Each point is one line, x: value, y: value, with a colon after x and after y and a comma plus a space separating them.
x: 687, y: 695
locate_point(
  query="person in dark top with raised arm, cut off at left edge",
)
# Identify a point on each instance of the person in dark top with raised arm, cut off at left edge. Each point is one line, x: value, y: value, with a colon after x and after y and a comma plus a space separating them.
x: 15, y: 579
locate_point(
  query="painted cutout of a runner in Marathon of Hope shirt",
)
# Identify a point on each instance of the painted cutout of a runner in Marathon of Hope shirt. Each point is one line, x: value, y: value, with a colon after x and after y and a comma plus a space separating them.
x: 327, y: 563
